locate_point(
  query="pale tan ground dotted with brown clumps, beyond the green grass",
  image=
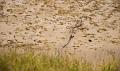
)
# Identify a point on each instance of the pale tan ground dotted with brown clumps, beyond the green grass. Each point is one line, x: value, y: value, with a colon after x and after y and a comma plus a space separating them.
x: 90, y: 28
